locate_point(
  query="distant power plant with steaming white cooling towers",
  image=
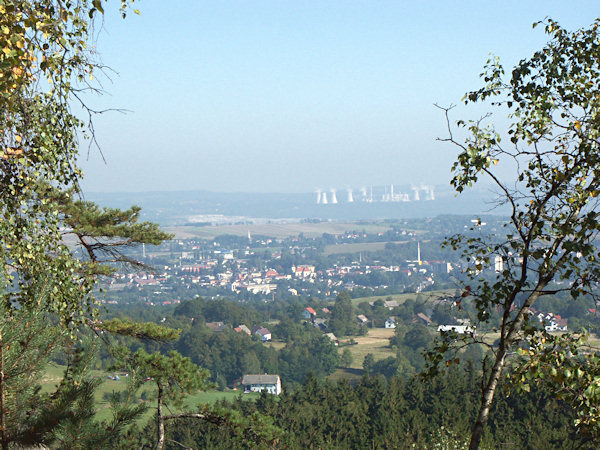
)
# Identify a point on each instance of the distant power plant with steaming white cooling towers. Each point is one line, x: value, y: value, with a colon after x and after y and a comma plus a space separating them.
x: 384, y: 194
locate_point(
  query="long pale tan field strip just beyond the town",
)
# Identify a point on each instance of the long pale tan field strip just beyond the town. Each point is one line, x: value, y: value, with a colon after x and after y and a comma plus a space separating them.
x: 274, y: 230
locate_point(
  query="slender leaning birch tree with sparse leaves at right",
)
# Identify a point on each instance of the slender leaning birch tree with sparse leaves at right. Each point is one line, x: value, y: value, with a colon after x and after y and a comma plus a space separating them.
x: 552, y: 144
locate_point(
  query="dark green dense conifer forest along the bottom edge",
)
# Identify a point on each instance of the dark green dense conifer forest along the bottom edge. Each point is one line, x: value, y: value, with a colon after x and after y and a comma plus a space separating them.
x: 399, y: 414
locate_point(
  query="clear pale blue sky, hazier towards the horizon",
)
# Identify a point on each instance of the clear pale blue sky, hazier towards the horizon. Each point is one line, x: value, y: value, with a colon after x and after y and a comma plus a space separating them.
x: 291, y: 96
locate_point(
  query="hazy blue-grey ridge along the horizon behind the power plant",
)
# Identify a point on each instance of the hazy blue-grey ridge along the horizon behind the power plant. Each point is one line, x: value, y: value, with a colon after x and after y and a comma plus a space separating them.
x: 181, y: 207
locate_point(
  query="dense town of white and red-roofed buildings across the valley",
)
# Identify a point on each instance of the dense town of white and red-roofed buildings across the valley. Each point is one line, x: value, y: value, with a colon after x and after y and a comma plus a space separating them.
x: 232, y: 271
